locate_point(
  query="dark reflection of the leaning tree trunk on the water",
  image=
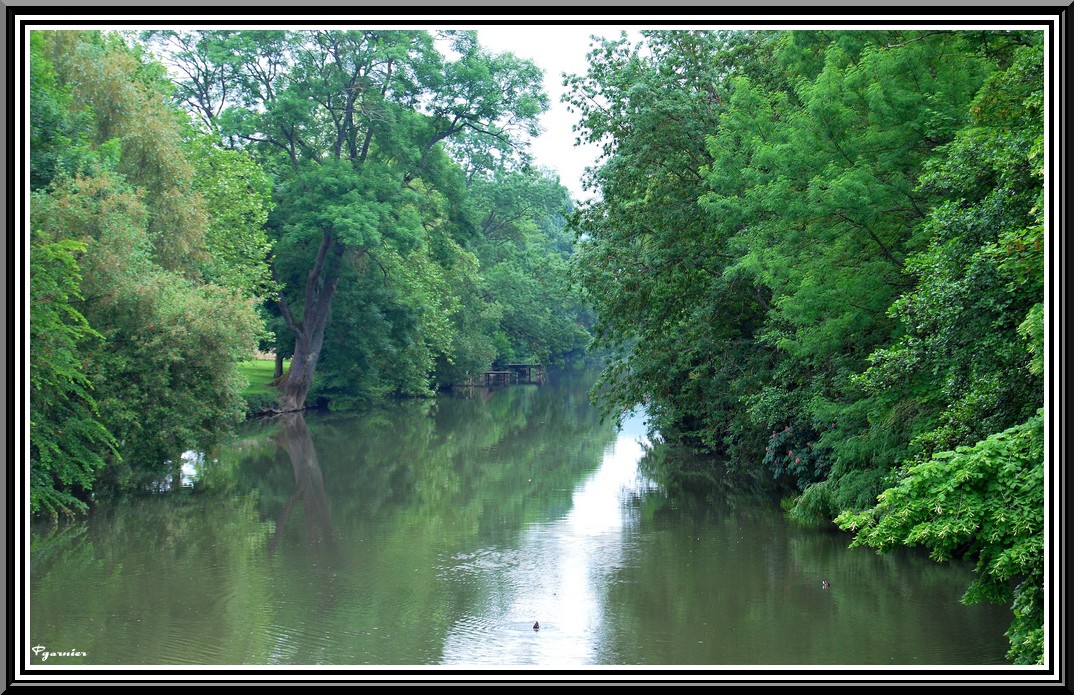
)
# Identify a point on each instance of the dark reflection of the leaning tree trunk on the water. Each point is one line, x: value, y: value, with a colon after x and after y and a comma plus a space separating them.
x: 309, y: 484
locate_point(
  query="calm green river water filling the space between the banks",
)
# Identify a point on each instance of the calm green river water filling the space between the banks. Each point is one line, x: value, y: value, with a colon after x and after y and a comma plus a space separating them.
x: 438, y: 533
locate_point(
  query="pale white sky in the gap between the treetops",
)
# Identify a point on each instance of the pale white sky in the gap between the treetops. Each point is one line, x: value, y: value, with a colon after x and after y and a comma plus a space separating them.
x: 557, y: 50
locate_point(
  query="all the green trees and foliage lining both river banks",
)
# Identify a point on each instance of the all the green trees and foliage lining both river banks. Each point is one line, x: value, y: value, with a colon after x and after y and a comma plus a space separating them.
x: 817, y: 254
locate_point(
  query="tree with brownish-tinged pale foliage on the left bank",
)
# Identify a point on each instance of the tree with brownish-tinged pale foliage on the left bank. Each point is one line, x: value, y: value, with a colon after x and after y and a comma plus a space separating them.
x: 163, y: 344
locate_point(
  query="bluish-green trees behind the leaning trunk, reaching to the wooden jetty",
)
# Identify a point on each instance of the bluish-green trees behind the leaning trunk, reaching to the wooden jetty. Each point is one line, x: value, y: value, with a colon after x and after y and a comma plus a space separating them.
x: 485, y: 284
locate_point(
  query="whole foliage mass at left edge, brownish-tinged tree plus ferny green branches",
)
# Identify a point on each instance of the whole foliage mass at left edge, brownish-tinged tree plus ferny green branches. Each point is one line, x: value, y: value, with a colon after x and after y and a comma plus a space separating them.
x: 135, y: 353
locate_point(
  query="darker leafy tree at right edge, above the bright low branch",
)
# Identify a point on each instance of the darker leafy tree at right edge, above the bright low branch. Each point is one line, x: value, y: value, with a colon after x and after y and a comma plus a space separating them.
x: 980, y: 281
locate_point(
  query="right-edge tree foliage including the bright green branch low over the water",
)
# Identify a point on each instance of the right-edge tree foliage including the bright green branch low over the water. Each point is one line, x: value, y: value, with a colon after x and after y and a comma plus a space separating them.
x: 971, y: 355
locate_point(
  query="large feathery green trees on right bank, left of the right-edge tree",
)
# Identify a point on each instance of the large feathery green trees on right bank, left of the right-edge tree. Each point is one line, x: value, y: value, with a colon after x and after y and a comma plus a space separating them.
x: 743, y: 287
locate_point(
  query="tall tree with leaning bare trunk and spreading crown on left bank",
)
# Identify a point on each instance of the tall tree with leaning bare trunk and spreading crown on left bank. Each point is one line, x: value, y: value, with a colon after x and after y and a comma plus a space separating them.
x: 349, y: 122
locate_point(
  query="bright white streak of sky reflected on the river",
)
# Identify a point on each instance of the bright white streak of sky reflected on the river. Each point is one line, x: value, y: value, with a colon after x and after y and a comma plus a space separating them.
x: 559, y: 573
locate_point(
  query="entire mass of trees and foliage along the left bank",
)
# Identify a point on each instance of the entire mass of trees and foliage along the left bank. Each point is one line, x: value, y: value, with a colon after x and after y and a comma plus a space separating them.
x: 326, y: 152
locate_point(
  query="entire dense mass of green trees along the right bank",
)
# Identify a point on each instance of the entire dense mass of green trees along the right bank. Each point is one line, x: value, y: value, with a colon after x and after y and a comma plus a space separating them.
x: 822, y: 253
